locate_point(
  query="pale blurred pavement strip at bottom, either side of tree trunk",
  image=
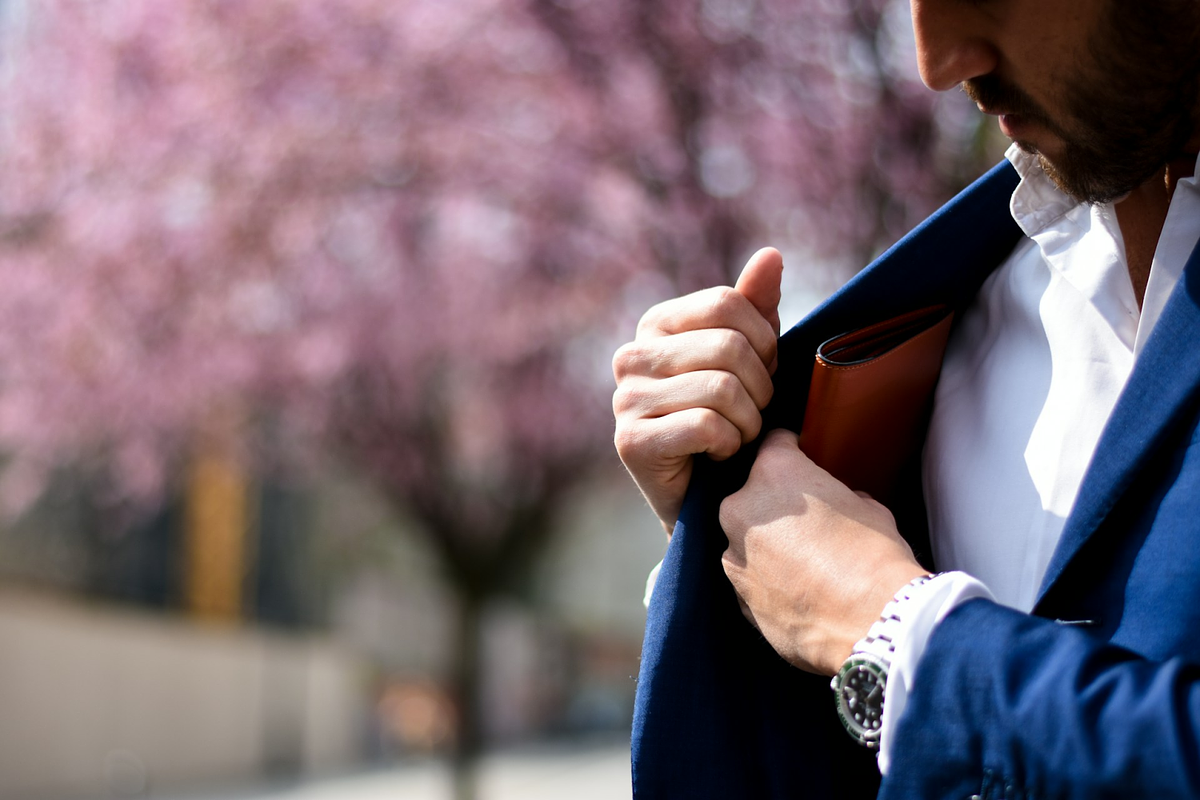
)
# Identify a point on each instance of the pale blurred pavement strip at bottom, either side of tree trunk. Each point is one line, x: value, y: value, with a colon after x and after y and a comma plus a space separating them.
x: 560, y: 773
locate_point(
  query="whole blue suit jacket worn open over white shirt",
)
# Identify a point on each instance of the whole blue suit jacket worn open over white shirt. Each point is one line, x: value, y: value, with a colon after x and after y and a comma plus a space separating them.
x: 1009, y: 705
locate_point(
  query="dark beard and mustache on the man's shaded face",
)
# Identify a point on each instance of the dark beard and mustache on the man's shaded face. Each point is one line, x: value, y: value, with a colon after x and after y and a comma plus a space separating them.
x: 1129, y: 113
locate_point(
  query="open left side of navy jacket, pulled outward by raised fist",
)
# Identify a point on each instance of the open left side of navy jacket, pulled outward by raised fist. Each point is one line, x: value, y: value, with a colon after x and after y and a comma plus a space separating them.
x: 719, y: 714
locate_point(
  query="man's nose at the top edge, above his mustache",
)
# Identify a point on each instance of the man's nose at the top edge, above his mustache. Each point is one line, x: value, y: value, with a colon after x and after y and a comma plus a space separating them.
x: 952, y: 43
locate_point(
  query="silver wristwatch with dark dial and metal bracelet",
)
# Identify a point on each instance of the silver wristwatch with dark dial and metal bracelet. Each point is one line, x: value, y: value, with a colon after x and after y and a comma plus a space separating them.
x: 861, y: 685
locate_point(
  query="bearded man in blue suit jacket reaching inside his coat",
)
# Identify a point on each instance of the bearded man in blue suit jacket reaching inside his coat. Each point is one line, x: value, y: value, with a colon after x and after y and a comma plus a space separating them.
x: 1055, y: 657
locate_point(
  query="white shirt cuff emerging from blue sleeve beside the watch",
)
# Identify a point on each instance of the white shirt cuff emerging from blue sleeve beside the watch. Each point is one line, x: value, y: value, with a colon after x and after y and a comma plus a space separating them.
x: 926, y: 607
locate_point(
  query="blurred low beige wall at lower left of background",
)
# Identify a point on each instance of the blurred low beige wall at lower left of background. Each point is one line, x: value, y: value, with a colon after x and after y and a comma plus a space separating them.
x: 110, y: 702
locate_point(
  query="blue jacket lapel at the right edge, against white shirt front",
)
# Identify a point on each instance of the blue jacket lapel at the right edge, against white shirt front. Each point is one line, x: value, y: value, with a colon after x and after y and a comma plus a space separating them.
x: 1161, y: 392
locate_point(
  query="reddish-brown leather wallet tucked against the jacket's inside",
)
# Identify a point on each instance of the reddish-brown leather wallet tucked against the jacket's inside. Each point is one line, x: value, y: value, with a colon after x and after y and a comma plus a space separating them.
x: 871, y: 398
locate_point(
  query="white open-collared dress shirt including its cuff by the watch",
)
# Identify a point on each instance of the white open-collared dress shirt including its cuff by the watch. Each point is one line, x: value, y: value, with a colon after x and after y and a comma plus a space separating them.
x: 1031, y: 376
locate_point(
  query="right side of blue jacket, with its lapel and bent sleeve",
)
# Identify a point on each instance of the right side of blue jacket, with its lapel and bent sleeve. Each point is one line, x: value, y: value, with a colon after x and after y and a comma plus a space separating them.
x: 1111, y: 709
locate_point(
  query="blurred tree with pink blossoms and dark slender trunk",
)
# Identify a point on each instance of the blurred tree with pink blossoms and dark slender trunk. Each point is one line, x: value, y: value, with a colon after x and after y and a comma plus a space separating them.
x: 407, y: 233
